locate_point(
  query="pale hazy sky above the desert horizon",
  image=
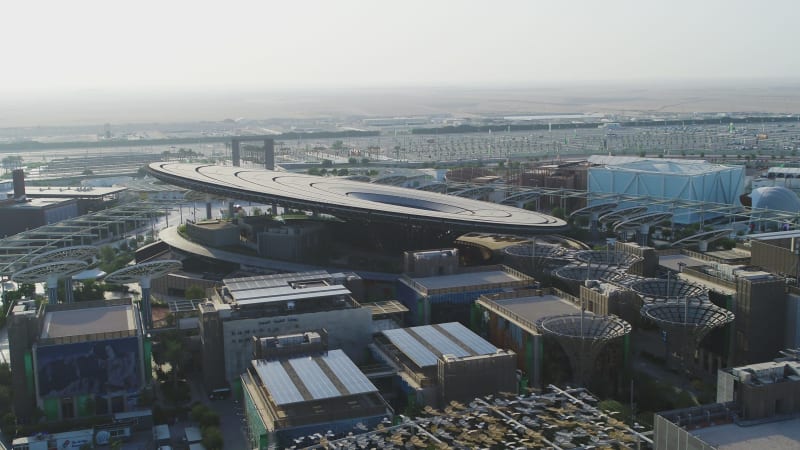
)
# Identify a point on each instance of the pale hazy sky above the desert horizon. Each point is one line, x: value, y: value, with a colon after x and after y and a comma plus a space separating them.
x: 73, y: 45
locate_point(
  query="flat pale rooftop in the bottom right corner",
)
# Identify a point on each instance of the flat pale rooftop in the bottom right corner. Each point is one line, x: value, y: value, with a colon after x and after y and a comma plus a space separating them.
x: 772, y: 435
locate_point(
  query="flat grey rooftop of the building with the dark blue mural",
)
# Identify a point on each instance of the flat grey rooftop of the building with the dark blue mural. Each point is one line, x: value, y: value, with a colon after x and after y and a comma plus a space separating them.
x: 78, y: 322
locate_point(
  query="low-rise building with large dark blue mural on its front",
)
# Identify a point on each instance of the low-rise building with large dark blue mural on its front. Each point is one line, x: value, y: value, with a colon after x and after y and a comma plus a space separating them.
x: 77, y: 360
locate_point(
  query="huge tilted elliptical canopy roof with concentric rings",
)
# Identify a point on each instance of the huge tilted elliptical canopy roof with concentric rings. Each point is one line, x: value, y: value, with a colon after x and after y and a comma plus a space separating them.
x: 351, y: 199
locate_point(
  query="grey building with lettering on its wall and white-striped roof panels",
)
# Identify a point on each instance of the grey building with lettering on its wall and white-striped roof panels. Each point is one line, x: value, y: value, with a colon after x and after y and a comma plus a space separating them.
x: 274, y: 305
